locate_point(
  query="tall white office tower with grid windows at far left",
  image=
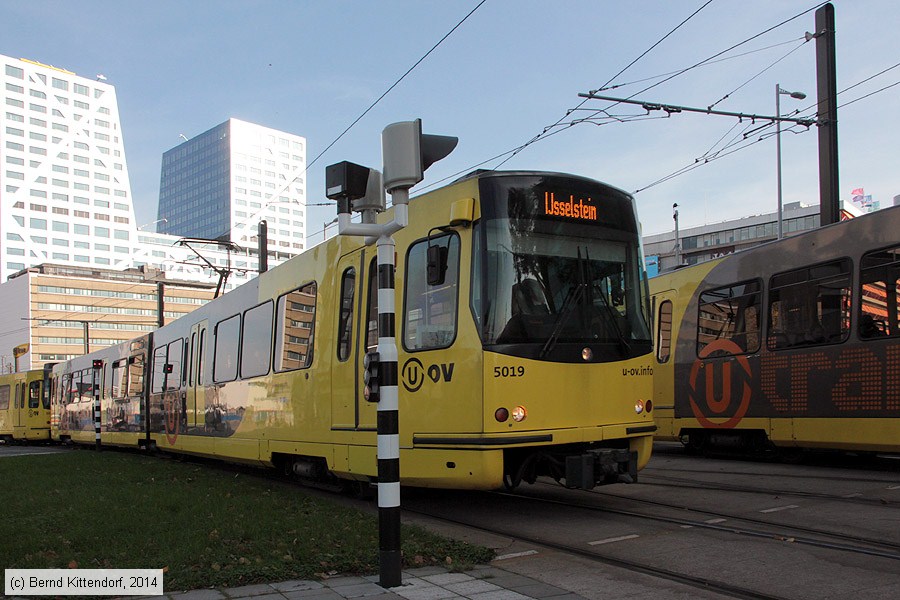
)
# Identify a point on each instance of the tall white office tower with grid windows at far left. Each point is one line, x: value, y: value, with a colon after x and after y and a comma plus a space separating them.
x: 65, y: 196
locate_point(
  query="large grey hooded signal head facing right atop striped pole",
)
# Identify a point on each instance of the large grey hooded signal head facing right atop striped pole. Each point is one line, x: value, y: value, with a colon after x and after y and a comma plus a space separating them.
x: 407, y: 152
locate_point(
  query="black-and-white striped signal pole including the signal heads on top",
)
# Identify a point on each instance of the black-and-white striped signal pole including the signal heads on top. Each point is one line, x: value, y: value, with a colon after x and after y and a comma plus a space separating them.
x: 406, y: 153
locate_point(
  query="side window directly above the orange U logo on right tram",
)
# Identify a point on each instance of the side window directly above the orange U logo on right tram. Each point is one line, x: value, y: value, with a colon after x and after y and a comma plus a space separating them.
x: 729, y: 319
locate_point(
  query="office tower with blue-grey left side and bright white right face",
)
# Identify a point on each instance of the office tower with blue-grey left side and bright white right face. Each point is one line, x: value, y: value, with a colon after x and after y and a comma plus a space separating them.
x: 222, y: 183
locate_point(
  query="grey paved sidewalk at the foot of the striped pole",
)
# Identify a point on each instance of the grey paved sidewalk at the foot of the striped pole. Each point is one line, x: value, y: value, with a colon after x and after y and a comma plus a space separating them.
x: 427, y: 583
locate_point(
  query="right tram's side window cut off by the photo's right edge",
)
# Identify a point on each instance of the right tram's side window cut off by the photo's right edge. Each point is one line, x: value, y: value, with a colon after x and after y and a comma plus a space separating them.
x: 879, y: 279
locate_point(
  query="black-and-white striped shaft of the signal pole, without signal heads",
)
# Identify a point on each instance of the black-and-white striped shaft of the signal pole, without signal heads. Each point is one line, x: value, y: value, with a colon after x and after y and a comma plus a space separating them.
x: 388, y: 422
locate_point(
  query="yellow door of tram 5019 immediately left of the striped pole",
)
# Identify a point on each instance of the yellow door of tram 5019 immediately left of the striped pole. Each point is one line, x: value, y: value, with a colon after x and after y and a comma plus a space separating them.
x: 357, y: 333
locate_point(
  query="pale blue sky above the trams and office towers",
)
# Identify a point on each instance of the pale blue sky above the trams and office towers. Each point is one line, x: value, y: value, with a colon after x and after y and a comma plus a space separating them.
x: 514, y: 67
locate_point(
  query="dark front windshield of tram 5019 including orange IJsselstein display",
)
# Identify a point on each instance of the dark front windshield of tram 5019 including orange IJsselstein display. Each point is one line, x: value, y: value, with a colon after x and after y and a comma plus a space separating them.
x: 557, y: 277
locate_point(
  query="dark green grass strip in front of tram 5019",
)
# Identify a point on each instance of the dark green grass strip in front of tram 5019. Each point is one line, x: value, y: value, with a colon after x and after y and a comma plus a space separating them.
x: 206, y: 527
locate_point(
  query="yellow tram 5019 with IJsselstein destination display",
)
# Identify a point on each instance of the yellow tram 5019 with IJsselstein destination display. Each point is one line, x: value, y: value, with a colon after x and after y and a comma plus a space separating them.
x: 531, y: 358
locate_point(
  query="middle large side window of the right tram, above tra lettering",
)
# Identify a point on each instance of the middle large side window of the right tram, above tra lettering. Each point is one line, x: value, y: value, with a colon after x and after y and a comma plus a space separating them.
x: 810, y: 306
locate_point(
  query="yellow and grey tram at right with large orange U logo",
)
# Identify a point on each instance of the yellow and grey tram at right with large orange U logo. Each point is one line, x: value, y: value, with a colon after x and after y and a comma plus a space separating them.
x: 793, y: 344
